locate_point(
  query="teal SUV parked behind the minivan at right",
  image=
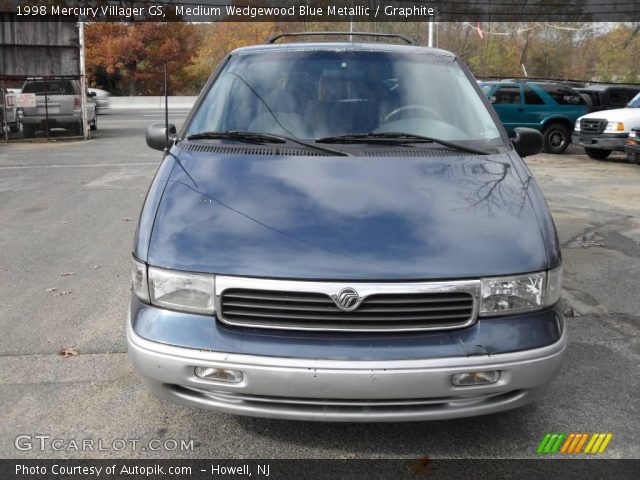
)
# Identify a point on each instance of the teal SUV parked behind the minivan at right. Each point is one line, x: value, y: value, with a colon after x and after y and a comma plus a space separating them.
x: 551, y: 108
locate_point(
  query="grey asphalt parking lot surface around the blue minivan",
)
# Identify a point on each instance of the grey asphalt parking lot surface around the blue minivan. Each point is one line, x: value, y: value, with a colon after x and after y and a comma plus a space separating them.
x: 68, y: 212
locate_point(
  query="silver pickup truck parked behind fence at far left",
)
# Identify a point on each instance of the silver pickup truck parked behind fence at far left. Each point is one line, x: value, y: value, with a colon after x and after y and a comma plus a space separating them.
x: 58, y: 104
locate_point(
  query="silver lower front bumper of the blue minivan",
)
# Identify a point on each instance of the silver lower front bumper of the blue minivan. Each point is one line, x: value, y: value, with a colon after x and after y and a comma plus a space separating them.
x: 343, y: 390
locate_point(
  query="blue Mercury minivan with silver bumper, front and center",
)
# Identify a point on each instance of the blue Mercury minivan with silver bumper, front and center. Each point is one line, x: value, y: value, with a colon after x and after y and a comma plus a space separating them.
x: 333, y: 235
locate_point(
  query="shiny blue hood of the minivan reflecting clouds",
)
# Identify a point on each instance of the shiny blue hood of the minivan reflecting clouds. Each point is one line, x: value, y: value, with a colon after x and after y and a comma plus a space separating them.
x: 442, y: 215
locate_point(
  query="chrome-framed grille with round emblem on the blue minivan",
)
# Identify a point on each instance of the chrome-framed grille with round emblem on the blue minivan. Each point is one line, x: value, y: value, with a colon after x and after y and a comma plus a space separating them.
x: 404, y: 307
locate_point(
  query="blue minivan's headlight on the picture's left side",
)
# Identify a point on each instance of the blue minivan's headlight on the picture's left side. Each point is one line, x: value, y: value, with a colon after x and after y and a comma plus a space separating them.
x: 187, y: 292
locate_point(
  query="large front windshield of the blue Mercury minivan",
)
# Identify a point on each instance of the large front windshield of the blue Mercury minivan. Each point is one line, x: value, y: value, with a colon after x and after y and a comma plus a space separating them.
x: 315, y: 94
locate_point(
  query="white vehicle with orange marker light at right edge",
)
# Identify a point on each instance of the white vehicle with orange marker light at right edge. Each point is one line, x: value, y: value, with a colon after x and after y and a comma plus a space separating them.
x: 602, y: 132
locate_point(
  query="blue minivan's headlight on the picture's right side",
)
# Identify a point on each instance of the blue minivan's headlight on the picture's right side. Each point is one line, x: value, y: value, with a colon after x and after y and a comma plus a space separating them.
x: 519, y: 293
